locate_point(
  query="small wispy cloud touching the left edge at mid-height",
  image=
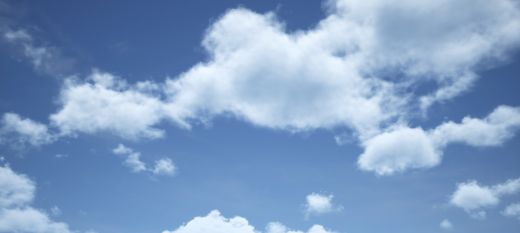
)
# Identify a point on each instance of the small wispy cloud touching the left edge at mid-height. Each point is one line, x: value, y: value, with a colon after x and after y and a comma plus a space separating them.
x: 19, y: 132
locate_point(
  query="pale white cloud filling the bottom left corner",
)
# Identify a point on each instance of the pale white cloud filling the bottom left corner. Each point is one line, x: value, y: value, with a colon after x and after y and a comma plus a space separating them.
x: 16, y: 212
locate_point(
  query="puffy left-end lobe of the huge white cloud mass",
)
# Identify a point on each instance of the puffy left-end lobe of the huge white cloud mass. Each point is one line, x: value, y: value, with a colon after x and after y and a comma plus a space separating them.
x: 107, y: 104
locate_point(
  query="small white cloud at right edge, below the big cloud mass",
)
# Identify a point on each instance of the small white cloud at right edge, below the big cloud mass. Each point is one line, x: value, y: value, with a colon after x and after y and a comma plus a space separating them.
x: 474, y: 198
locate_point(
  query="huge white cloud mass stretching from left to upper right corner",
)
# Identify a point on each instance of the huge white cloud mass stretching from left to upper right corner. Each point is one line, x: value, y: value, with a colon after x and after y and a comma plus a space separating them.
x: 366, y: 68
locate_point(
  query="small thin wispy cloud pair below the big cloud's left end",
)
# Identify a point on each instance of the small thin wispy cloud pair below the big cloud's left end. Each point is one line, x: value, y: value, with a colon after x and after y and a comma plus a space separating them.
x: 163, y: 166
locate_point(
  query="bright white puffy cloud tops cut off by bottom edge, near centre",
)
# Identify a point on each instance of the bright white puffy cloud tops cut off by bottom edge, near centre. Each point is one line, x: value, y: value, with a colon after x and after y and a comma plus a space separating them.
x: 214, y: 222
